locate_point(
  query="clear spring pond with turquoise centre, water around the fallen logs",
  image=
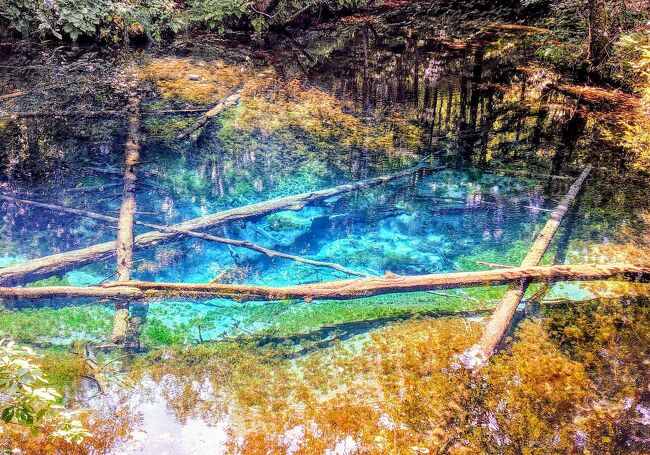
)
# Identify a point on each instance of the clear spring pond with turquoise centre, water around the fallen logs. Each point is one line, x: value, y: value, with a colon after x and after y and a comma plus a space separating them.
x: 341, y: 103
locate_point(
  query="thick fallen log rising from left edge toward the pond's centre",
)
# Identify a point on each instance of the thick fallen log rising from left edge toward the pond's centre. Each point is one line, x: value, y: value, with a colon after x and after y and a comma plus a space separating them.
x: 58, y: 263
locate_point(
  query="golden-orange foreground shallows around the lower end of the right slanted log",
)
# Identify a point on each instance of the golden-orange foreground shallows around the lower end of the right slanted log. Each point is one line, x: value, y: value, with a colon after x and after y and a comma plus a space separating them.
x: 548, y: 392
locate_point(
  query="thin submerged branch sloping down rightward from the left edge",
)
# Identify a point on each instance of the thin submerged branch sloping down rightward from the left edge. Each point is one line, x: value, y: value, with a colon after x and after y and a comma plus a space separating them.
x: 211, y: 238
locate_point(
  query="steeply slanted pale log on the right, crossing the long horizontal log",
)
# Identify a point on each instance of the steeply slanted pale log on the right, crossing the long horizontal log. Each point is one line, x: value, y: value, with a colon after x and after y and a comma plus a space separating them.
x: 500, y: 320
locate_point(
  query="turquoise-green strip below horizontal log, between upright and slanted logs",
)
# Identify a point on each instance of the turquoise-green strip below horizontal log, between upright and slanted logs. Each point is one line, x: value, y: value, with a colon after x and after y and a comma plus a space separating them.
x: 187, y: 323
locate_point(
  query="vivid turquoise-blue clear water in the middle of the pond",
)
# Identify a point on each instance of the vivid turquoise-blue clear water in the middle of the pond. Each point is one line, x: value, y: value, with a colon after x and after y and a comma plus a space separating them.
x: 423, y: 224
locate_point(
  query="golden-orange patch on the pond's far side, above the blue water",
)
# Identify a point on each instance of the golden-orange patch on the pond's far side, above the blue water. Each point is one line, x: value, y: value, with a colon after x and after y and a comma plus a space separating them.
x: 271, y: 106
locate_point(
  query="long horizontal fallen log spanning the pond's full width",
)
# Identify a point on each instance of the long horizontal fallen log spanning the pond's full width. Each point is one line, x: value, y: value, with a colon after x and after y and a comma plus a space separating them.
x: 339, y: 289
